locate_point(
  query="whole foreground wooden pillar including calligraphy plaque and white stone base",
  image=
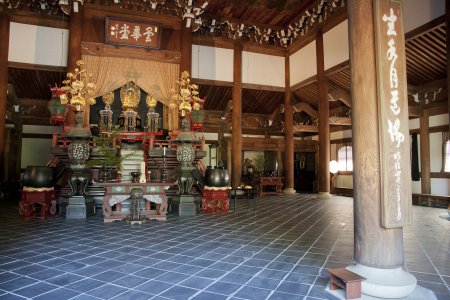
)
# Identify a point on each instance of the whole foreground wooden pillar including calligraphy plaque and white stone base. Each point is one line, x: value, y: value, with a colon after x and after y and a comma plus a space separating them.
x: 378, y: 248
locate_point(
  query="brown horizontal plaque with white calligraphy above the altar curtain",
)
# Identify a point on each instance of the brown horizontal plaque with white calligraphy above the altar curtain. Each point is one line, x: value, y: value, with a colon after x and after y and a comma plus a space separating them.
x: 132, y: 33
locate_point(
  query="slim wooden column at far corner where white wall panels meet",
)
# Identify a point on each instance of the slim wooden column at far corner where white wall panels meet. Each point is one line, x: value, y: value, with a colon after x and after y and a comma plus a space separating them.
x: 288, y: 132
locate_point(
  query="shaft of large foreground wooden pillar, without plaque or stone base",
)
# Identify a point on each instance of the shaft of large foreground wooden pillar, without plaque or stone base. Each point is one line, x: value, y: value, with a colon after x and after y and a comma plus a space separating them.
x: 375, y: 246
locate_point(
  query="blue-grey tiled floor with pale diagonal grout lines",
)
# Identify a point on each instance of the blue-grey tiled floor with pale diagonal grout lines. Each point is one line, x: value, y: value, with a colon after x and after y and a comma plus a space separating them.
x: 281, y: 252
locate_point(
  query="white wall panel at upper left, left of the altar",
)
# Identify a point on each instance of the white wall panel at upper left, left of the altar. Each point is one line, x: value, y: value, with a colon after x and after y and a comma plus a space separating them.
x: 38, y: 45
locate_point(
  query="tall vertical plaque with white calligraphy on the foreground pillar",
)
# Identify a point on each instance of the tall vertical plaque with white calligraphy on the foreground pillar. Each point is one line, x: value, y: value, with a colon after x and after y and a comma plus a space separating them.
x: 393, y: 114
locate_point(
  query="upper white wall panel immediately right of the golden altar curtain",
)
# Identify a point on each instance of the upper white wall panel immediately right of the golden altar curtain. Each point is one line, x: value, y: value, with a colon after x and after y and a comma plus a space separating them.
x: 212, y: 63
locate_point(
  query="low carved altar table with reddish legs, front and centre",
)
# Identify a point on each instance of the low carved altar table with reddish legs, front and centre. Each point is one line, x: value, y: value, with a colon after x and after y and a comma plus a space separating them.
x: 118, y: 193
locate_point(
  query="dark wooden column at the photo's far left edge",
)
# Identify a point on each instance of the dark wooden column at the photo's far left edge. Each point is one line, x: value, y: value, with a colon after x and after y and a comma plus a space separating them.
x: 4, y: 48
